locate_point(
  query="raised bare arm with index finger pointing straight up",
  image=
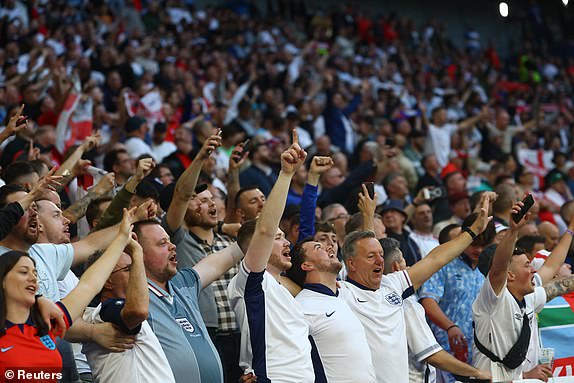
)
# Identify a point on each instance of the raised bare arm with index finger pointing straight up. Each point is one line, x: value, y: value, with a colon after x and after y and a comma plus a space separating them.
x: 260, y: 248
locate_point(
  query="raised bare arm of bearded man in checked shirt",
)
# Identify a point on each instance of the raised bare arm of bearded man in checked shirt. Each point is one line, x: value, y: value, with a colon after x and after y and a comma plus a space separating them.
x: 185, y: 186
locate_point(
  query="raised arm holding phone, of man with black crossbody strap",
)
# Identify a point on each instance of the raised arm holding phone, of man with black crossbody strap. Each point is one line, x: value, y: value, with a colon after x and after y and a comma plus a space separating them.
x: 499, y: 268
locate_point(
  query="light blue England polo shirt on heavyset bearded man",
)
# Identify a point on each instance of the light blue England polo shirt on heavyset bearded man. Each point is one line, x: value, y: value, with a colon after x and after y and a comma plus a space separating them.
x: 176, y: 320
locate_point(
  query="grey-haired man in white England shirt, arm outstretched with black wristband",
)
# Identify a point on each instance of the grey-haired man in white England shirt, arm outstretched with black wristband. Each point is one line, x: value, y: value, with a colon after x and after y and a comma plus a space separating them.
x: 377, y: 300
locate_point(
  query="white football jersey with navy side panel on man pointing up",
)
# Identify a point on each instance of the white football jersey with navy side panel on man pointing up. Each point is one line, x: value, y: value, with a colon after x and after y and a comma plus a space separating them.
x: 274, y: 333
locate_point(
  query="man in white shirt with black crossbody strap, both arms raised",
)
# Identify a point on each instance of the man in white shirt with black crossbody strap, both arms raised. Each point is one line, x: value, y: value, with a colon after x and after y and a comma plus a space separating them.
x: 512, y: 291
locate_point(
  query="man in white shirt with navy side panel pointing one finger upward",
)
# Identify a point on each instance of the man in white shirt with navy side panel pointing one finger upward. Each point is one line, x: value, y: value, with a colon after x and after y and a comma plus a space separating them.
x: 274, y: 334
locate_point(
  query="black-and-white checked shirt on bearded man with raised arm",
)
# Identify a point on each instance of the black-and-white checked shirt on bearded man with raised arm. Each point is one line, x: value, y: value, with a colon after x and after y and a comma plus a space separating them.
x: 225, y: 314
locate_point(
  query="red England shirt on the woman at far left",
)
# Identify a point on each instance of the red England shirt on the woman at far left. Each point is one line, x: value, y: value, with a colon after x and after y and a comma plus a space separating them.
x: 21, y: 348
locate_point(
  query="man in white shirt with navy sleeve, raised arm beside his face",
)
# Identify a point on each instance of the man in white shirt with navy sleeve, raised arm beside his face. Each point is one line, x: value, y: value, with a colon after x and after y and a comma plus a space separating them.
x: 124, y: 302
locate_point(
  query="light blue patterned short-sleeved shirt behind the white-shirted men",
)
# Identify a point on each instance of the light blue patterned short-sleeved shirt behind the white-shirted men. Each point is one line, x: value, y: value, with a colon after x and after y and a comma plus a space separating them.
x: 454, y: 288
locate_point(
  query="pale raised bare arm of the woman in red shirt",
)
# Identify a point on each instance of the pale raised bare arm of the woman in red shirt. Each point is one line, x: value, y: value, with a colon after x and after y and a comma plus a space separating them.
x: 96, y: 275
